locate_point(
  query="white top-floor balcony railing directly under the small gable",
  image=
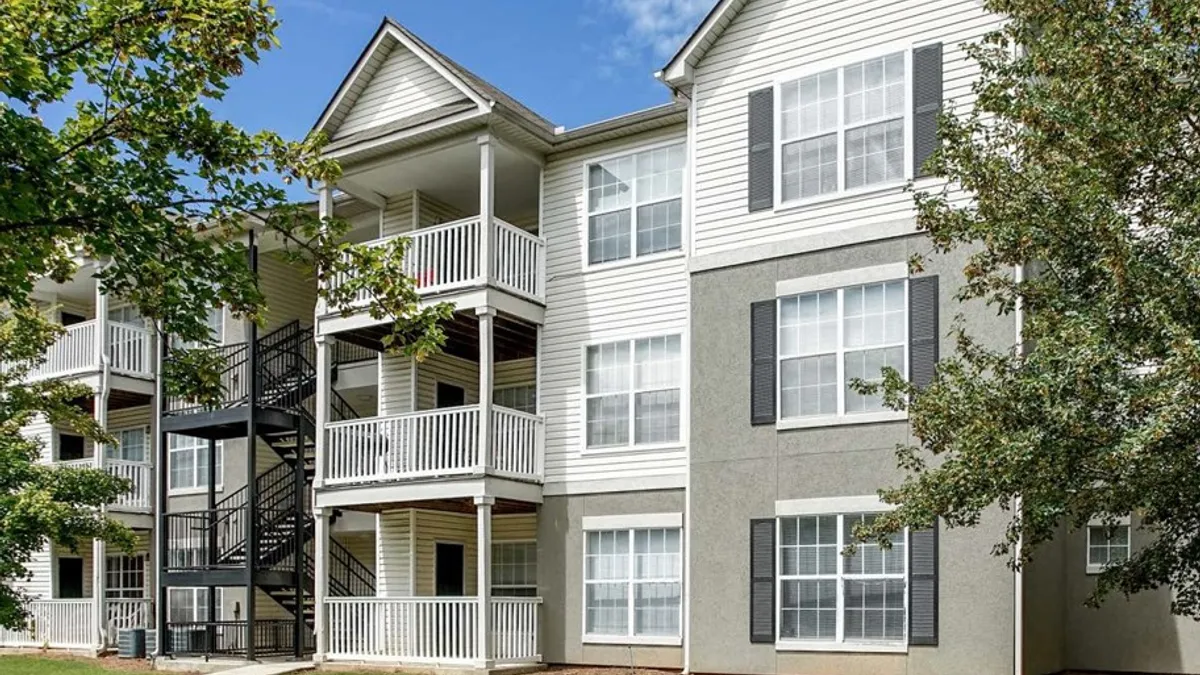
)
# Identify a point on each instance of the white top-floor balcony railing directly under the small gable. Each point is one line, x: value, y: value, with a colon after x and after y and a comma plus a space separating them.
x: 448, y: 258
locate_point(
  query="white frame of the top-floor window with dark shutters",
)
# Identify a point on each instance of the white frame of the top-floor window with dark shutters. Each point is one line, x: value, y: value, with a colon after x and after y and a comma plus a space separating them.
x: 841, y: 65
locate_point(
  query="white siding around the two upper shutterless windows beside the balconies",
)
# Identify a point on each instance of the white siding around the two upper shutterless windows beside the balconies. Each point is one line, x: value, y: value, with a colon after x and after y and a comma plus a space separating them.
x: 598, y: 306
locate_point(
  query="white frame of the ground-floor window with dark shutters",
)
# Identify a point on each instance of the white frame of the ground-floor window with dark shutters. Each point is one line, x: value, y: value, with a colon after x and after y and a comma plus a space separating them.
x: 839, y: 507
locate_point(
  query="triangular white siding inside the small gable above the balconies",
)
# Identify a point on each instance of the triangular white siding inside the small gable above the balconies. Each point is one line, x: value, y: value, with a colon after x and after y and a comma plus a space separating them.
x: 403, y: 87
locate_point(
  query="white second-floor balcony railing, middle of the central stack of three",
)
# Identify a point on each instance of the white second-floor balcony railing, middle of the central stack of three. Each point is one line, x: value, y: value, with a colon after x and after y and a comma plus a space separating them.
x: 433, y: 444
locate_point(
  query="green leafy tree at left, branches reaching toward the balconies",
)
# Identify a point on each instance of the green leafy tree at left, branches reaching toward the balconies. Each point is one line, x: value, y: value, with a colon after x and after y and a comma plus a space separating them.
x: 142, y: 176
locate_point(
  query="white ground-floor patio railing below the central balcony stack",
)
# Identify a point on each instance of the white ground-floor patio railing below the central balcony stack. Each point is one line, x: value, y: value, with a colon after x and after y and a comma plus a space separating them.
x: 430, y: 630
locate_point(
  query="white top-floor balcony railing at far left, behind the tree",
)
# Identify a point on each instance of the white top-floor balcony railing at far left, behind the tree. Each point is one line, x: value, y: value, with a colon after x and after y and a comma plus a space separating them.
x: 75, y: 353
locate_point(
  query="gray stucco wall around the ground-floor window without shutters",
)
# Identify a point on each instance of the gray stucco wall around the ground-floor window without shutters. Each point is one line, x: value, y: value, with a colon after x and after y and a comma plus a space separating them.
x: 561, y: 578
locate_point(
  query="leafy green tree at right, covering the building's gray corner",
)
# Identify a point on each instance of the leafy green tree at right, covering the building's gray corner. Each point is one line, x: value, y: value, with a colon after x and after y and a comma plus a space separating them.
x: 1081, y: 159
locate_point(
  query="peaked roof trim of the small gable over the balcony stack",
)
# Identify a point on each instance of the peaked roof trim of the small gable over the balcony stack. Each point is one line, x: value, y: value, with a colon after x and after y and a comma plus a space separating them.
x: 476, y: 89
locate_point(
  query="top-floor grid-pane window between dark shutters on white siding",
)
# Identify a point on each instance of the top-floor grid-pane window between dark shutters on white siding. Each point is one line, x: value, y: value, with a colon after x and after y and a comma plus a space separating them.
x: 860, y: 111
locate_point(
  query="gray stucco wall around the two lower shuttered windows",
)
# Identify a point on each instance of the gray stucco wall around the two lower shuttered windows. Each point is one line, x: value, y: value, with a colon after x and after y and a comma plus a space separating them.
x: 739, y: 471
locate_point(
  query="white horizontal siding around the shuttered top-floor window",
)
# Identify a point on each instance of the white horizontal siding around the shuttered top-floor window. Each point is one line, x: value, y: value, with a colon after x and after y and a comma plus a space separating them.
x: 767, y: 40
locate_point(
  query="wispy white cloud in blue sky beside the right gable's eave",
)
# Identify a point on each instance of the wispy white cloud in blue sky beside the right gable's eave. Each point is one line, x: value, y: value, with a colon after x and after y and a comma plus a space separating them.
x: 658, y: 27
